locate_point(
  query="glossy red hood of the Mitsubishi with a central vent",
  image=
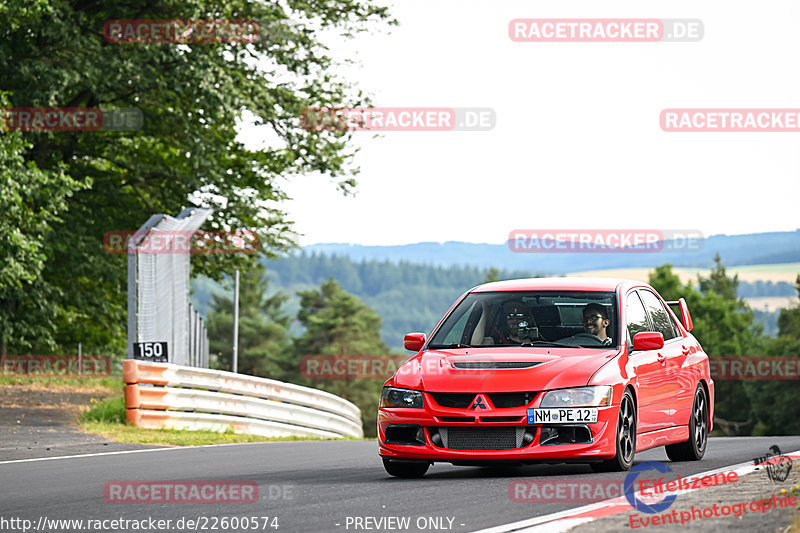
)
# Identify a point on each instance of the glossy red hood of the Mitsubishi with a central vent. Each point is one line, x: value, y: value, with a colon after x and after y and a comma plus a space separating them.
x: 493, y: 369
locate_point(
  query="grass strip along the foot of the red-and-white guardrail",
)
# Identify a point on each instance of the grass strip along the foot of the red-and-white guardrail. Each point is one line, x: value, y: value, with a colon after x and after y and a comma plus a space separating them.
x: 108, y: 420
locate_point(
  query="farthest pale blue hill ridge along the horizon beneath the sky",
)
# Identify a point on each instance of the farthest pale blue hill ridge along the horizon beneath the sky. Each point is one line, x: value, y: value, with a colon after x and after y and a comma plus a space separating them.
x: 751, y: 249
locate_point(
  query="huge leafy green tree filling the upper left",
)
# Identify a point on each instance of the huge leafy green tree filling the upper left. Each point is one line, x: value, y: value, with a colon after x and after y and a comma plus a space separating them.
x: 187, y: 153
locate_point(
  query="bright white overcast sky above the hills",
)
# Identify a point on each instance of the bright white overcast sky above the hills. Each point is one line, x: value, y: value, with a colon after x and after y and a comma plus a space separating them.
x: 577, y: 142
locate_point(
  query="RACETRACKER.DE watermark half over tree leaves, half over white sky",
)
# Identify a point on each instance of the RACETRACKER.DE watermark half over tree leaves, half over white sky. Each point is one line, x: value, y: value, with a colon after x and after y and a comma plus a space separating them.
x: 399, y: 119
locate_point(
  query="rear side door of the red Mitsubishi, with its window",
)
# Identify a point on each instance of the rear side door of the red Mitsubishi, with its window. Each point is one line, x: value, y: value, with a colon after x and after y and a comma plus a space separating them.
x: 681, y: 381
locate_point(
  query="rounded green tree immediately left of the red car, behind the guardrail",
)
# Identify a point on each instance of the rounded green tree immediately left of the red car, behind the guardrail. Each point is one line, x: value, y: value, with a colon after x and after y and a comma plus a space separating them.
x: 338, y: 323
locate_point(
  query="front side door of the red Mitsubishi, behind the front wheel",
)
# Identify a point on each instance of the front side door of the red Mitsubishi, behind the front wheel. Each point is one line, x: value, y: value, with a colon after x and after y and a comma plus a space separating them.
x: 654, y: 389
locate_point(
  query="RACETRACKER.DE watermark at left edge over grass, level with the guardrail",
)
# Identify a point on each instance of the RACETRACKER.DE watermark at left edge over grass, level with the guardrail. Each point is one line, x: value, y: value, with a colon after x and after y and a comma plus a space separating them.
x: 55, y: 366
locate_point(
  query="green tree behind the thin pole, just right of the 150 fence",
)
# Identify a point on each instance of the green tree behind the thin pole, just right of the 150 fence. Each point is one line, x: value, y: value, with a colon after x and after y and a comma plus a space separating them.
x: 264, y: 344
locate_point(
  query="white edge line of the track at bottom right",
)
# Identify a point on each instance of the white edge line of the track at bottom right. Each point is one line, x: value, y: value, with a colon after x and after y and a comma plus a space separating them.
x: 561, y: 521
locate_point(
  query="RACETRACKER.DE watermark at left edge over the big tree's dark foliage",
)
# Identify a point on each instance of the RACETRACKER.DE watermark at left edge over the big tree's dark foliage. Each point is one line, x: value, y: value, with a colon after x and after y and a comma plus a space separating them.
x: 70, y: 119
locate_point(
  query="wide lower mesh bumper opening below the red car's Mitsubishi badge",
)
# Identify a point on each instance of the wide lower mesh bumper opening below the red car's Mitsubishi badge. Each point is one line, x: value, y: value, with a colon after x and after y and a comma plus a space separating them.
x: 482, y: 438
